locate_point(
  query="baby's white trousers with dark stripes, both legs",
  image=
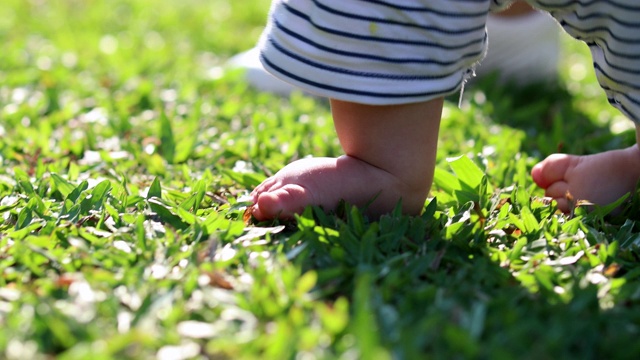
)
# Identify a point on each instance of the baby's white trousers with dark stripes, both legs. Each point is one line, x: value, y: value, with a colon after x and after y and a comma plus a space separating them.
x: 392, y: 52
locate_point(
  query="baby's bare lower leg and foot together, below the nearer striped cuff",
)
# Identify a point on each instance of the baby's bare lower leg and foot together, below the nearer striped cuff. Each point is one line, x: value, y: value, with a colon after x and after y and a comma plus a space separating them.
x: 389, y: 156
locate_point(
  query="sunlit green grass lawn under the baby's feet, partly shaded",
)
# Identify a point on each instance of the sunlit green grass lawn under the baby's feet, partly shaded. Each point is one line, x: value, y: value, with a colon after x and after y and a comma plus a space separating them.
x: 125, y: 153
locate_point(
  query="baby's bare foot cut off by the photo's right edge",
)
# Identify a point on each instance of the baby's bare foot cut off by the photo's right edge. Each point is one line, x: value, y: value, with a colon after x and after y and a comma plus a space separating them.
x: 600, y: 178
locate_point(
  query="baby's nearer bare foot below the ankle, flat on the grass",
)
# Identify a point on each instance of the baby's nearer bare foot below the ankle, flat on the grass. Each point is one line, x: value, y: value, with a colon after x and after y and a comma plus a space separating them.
x: 326, y: 181
